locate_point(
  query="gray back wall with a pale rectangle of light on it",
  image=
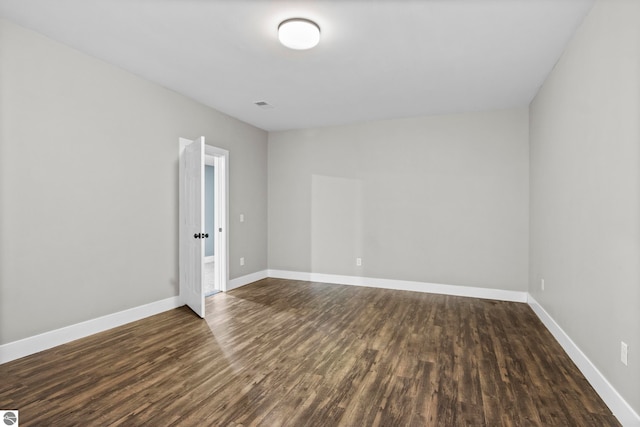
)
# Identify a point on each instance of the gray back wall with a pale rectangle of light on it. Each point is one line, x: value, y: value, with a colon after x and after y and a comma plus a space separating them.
x: 440, y: 199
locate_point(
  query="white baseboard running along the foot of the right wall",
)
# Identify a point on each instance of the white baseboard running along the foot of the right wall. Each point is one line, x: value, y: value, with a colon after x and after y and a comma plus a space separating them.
x: 620, y: 408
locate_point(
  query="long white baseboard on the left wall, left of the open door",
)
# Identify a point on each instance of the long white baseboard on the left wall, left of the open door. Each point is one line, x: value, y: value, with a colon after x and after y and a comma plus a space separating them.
x: 25, y: 347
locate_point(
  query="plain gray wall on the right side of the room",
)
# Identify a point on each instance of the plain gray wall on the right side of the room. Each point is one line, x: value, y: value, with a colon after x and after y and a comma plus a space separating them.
x: 585, y: 192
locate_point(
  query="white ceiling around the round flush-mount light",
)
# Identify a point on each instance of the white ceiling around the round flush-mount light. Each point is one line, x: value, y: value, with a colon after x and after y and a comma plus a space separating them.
x: 376, y: 59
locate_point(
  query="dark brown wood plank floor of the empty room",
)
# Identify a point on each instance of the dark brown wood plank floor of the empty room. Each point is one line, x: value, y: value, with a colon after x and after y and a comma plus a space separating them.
x: 308, y: 354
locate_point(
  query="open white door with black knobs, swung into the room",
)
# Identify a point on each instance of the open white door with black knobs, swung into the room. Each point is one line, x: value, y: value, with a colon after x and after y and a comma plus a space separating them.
x: 191, y: 229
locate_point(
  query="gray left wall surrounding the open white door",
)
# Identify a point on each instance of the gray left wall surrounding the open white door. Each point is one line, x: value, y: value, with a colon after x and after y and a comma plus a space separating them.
x: 88, y: 186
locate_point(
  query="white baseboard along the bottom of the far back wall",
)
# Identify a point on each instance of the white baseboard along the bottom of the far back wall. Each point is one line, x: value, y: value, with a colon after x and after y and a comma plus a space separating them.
x: 403, y: 285
